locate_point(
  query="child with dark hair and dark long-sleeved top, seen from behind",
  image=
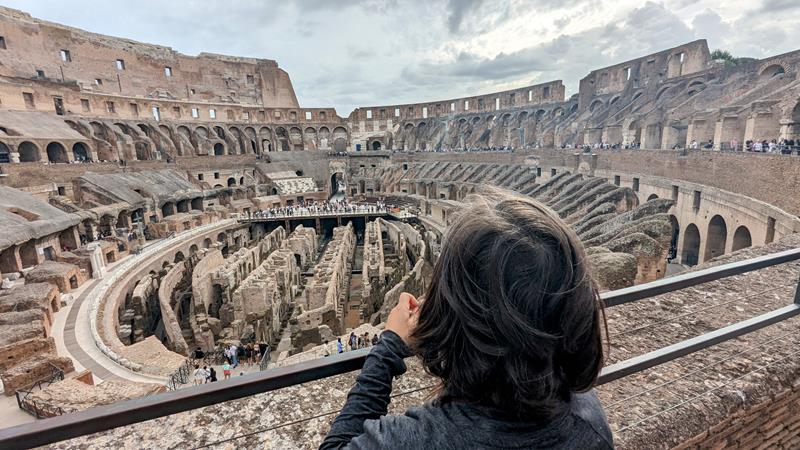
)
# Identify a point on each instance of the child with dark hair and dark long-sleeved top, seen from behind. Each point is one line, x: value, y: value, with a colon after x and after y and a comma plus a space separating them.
x: 511, y: 325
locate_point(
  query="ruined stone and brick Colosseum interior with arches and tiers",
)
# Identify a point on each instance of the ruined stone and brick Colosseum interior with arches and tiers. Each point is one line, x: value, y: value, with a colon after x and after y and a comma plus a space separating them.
x: 155, y: 204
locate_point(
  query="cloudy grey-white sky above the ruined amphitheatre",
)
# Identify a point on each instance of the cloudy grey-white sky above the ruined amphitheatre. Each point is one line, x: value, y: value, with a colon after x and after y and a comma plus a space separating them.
x: 346, y: 53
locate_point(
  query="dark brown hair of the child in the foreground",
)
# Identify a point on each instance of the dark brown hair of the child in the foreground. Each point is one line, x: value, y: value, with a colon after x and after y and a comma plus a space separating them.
x: 512, y: 318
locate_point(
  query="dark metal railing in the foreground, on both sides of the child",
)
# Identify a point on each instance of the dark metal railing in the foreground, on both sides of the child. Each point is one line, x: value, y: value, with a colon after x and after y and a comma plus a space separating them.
x: 138, y: 410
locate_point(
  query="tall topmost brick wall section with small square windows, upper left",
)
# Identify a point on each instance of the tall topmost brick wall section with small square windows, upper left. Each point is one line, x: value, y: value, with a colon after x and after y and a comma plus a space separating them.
x: 91, y: 61
